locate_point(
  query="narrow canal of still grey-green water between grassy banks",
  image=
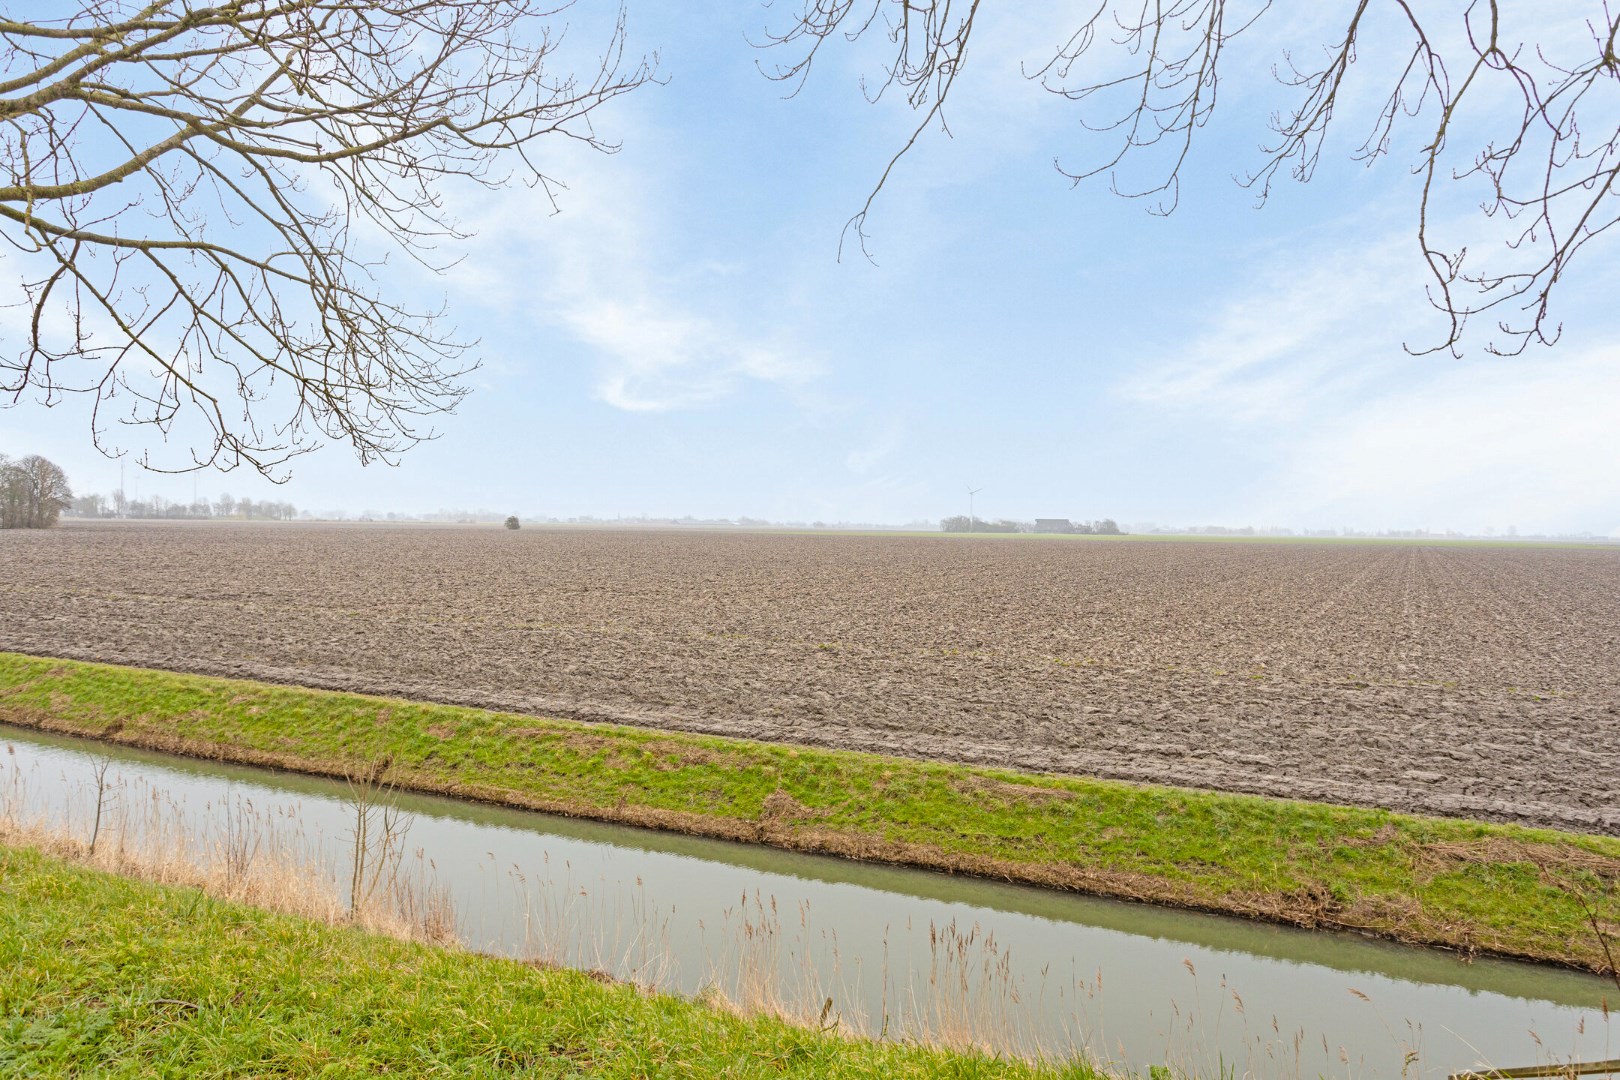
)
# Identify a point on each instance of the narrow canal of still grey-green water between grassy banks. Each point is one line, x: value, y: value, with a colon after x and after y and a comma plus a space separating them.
x: 885, y: 951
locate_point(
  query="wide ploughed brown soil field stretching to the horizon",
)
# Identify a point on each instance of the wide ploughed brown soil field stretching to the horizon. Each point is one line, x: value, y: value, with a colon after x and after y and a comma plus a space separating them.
x: 1460, y: 681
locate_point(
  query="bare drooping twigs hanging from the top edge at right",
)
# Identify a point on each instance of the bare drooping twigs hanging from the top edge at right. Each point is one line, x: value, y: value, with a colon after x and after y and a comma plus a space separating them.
x: 1538, y: 127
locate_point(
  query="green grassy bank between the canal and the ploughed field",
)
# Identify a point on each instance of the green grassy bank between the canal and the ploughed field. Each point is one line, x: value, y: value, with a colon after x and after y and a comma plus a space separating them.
x: 1422, y: 880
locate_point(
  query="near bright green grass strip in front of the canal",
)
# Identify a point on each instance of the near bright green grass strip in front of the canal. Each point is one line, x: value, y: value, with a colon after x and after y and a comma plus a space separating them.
x: 114, y: 977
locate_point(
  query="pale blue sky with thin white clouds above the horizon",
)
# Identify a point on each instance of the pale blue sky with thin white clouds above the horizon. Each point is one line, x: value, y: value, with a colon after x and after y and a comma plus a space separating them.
x: 683, y: 339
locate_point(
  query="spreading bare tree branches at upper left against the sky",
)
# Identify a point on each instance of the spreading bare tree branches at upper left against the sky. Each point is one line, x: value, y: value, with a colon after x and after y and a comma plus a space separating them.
x: 185, y: 187
